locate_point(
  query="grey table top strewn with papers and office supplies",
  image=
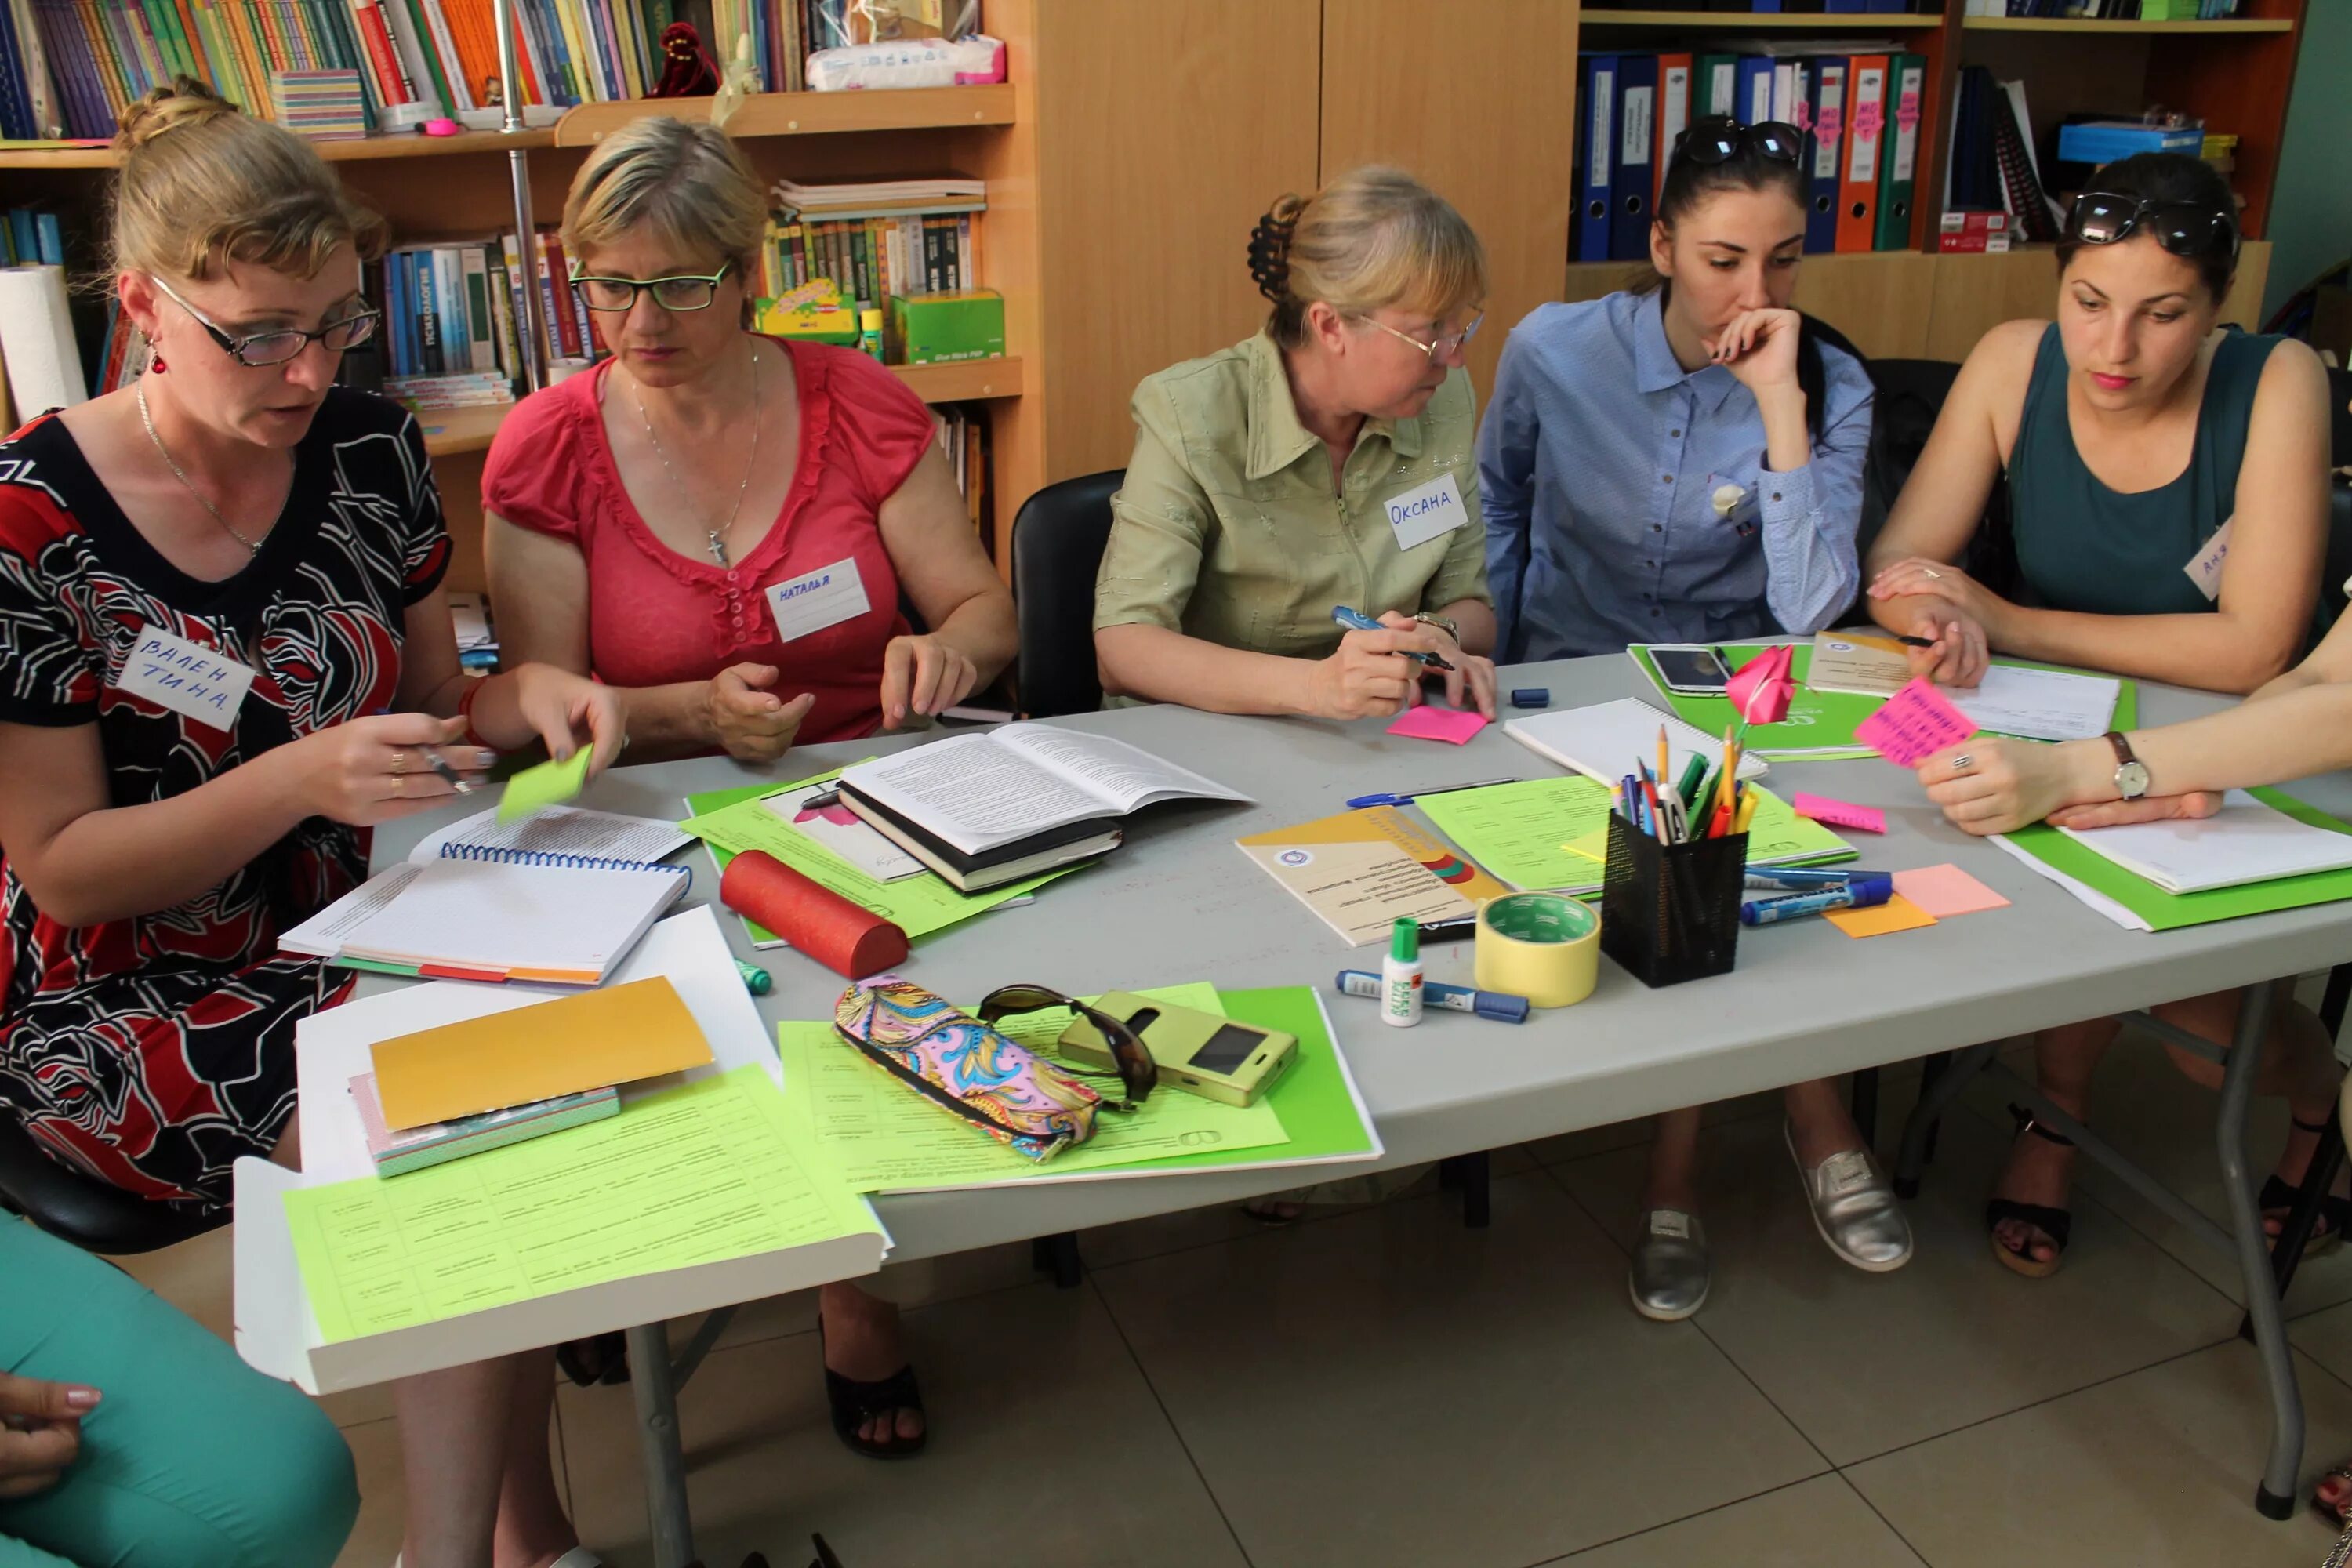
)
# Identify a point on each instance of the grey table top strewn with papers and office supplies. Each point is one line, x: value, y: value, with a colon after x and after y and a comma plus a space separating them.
x: 1182, y: 904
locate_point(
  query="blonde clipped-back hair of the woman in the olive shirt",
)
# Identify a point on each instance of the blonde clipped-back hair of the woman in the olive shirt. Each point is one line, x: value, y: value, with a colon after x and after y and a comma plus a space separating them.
x: 1368, y: 241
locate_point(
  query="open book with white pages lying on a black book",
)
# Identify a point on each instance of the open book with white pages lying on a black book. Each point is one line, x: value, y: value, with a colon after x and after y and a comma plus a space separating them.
x: 994, y: 791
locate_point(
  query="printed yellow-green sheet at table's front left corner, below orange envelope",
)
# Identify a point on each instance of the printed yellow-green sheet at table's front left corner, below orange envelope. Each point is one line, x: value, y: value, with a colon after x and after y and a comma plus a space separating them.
x: 697, y: 1174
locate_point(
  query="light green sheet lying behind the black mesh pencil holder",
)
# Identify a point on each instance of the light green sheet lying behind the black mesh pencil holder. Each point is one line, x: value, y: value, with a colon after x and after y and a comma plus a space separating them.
x: 1523, y: 831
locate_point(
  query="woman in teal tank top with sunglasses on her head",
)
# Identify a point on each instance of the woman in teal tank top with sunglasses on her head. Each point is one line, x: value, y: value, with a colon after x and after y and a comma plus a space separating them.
x: 2170, y: 516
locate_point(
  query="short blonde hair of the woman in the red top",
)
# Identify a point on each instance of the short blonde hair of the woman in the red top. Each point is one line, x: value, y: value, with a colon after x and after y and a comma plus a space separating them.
x: 688, y: 182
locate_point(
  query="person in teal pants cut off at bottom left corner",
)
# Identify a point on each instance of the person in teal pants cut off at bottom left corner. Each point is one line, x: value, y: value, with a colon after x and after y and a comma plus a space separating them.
x: 138, y: 1440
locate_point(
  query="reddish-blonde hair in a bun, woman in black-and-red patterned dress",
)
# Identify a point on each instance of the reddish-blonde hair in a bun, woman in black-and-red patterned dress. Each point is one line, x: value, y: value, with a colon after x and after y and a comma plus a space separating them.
x: 206, y: 185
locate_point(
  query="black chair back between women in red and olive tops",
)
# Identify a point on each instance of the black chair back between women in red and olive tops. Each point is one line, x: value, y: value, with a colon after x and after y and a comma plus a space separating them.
x: 1060, y: 540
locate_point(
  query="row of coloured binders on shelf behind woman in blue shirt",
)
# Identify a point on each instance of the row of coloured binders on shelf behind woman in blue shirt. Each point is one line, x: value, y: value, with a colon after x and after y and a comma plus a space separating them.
x: 1857, y: 102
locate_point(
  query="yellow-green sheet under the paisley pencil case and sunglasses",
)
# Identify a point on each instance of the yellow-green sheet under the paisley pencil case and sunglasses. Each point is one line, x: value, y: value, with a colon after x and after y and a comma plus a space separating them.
x: 883, y: 1137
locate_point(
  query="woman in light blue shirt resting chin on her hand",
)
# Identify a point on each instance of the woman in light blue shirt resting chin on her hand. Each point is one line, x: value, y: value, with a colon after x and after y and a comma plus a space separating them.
x: 1685, y: 464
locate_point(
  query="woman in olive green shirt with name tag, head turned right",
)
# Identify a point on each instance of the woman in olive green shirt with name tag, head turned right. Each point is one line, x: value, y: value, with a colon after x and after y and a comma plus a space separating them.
x: 1325, y: 462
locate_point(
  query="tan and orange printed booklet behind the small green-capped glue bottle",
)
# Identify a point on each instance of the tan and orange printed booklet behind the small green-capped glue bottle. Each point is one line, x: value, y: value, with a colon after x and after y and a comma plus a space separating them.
x: 1363, y: 871
